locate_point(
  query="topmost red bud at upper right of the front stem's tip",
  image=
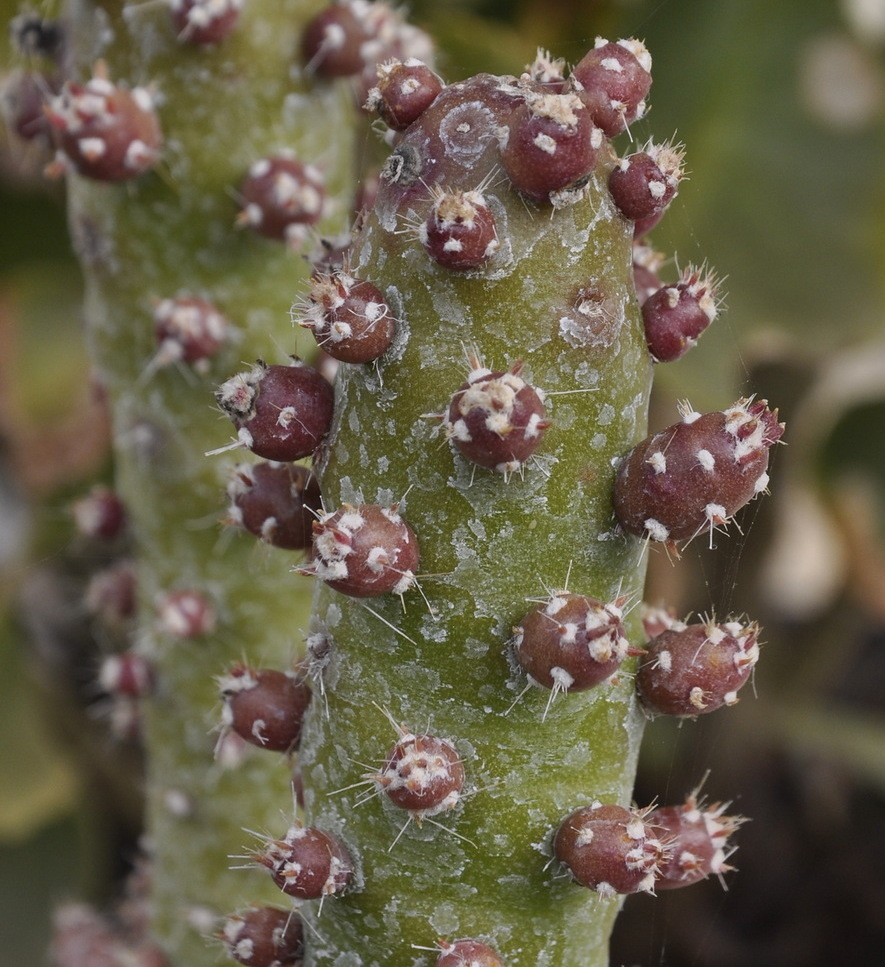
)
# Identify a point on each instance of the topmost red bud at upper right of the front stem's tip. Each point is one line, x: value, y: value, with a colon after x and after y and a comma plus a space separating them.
x: 613, y: 81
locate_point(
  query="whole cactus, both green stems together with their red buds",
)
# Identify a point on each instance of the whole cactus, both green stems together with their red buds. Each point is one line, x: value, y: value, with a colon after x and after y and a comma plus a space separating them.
x: 482, y: 469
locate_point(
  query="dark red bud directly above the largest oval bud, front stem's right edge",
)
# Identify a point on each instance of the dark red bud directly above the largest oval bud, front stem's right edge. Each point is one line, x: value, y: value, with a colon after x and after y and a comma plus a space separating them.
x: 675, y: 315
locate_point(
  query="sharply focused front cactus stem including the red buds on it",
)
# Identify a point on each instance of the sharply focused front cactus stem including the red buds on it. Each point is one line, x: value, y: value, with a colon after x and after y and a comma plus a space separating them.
x: 538, y: 484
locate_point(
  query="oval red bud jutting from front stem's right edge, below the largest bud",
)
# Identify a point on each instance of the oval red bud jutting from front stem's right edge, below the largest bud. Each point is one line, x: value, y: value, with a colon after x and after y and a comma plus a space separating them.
x: 693, y: 669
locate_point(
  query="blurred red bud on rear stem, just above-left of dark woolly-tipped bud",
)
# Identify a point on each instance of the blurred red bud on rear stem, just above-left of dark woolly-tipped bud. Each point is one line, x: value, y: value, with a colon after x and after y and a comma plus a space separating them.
x: 188, y: 329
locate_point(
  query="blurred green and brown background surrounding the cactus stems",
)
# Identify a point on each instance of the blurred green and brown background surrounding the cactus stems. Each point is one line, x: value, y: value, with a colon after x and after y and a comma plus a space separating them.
x: 780, y: 106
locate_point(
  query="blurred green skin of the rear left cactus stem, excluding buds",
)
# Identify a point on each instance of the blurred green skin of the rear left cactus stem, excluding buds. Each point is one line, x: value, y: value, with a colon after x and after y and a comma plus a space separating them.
x: 168, y: 231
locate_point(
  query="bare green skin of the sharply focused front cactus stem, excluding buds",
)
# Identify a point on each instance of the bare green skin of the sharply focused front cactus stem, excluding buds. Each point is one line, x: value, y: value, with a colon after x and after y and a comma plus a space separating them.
x: 557, y: 295
